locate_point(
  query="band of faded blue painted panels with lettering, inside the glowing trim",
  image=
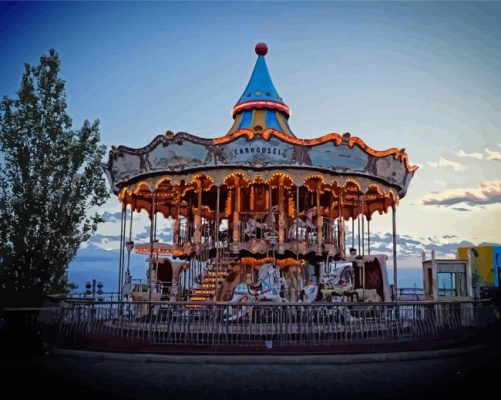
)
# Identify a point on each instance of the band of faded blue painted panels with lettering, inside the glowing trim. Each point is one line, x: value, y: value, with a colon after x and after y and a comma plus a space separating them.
x: 186, y: 152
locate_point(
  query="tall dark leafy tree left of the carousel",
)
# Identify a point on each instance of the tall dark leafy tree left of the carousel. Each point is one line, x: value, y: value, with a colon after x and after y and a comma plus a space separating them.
x: 50, y: 176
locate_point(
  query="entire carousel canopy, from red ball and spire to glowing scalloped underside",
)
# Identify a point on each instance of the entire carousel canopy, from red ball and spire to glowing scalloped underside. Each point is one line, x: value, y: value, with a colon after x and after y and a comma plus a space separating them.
x: 259, y: 147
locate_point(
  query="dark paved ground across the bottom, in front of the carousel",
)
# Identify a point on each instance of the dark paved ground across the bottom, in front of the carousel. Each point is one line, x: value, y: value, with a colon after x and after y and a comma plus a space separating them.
x: 467, y: 376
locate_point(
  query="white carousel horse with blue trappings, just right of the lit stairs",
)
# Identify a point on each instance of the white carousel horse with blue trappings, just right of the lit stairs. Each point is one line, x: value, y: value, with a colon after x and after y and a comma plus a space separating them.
x: 267, y: 288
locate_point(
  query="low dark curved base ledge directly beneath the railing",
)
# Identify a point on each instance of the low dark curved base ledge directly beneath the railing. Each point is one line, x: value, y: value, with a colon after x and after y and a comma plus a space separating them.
x: 306, y: 355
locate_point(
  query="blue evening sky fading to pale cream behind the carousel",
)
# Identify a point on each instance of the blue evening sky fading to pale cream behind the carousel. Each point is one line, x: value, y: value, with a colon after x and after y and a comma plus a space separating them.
x: 420, y: 76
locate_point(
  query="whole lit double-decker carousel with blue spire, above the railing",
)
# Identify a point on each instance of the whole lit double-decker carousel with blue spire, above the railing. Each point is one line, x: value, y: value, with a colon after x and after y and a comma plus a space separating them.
x: 258, y: 214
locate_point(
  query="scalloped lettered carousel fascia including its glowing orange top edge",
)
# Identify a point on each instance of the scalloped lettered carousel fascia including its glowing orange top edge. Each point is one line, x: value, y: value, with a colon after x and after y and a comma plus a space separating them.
x: 174, y: 155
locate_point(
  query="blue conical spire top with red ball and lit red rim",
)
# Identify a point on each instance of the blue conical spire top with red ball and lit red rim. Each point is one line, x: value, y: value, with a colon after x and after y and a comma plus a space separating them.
x: 260, y: 92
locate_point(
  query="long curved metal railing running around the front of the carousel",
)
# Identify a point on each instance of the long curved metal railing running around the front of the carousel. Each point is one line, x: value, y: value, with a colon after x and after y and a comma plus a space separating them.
x: 282, y: 324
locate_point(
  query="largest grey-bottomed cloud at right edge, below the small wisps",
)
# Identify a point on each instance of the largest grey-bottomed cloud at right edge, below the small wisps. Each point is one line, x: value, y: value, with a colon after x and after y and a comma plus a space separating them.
x: 489, y: 192
